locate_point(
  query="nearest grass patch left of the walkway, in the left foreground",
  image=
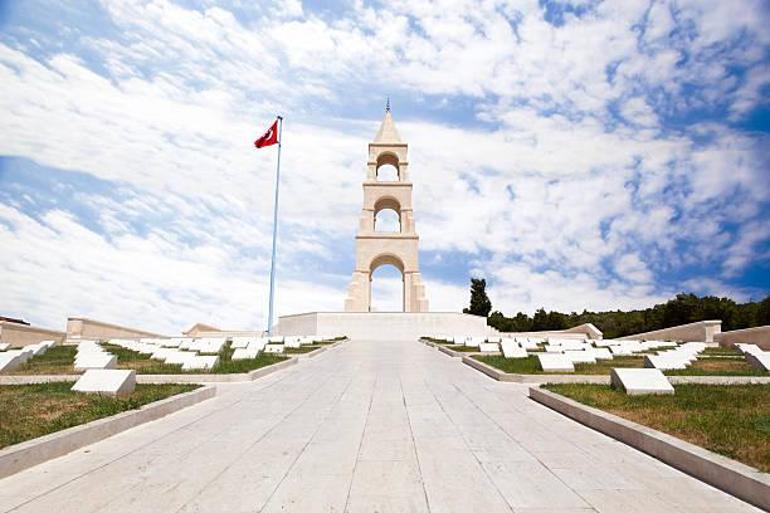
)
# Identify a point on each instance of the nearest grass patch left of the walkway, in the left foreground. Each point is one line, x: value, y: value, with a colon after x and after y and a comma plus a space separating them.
x: 30, y: 411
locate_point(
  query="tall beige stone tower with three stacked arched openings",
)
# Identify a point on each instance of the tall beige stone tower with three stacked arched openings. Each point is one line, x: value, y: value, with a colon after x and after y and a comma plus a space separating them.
x: 374, y: 248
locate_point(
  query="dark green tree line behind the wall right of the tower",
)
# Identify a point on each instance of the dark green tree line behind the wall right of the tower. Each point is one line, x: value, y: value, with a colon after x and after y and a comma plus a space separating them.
x: 682, y: 309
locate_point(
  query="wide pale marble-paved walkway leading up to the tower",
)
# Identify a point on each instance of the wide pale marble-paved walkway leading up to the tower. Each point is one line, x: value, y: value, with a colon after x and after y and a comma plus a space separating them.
x: 369, y: 426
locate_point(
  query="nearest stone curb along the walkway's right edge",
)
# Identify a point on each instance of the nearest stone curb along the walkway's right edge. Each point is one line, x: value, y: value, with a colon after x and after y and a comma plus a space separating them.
x: 737, y: 479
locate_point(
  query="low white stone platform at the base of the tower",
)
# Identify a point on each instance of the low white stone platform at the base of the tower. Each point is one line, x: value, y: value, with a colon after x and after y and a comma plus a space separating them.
x: 382, y: 325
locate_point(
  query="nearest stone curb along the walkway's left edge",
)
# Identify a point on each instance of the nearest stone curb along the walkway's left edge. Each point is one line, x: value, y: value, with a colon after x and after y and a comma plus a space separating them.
x: 27, y: 454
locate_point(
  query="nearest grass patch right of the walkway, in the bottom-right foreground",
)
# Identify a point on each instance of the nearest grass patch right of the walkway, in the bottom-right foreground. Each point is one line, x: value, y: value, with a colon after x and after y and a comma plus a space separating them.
x: 732, y: 420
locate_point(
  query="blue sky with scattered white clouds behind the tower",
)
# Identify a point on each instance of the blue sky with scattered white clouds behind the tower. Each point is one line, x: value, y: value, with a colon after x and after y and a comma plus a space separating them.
x: 577, y: 154
